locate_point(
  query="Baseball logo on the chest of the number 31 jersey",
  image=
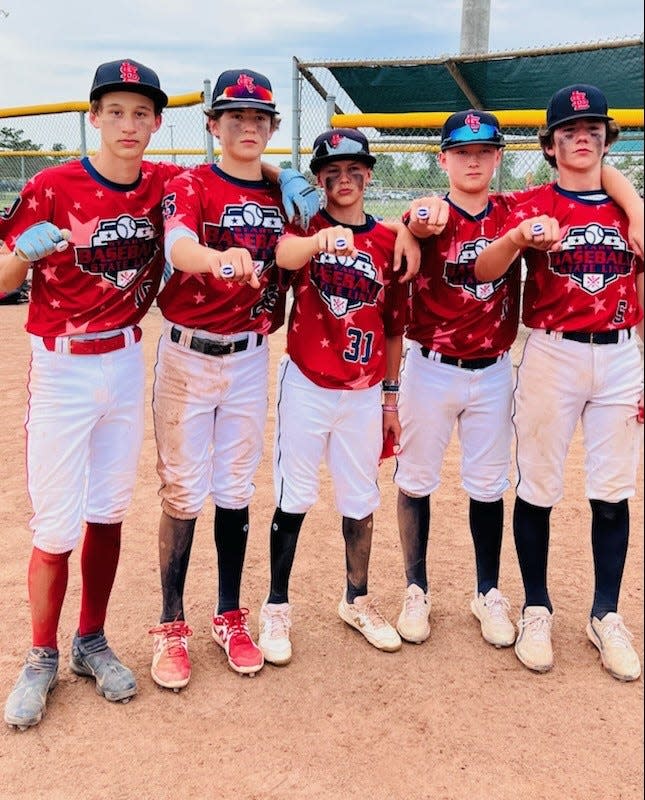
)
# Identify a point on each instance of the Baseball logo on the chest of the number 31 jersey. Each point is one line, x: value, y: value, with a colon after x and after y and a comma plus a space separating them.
x: 345, y: 283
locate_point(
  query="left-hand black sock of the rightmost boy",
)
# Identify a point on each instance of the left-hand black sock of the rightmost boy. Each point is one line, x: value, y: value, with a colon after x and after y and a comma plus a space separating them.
x: 531, y: 531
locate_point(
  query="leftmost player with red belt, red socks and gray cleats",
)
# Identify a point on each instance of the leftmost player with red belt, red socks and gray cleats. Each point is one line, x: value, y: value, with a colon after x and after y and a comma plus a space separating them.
x: 86, y: 379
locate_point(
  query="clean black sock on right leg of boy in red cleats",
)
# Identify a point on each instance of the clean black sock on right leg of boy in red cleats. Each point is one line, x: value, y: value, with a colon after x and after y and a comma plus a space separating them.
x: 231, y: 533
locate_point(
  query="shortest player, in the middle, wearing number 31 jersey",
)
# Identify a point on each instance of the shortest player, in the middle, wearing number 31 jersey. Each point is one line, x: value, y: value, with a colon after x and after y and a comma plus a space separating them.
x: 344, y: 340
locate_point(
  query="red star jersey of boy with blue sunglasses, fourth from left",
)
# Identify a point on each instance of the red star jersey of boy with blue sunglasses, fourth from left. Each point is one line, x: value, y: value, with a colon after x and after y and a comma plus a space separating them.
x: 453, y: 313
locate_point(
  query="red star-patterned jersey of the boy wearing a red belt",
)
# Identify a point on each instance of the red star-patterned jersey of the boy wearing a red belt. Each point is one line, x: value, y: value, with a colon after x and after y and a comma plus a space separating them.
x: 109, y: 275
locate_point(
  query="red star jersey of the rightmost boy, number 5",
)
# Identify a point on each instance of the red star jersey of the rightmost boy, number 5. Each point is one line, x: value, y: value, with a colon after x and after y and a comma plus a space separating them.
x: 590, y: 284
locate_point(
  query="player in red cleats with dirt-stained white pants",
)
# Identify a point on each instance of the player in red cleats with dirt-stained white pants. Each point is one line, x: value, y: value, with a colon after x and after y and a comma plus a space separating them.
x: 223, y: 298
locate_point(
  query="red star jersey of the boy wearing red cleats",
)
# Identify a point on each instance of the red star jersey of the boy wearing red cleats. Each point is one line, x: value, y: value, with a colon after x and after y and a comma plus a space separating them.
x: 225, y: 212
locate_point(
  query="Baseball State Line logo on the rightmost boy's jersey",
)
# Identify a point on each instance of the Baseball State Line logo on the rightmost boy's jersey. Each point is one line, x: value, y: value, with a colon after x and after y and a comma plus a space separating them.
x: 592, y: 256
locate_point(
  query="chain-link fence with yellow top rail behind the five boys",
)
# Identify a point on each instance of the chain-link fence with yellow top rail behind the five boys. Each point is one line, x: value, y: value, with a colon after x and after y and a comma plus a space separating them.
x: 406, y: 167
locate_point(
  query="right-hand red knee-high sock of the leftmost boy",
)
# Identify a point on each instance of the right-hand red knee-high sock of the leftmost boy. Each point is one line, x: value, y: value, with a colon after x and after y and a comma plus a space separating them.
x: 99, y: 560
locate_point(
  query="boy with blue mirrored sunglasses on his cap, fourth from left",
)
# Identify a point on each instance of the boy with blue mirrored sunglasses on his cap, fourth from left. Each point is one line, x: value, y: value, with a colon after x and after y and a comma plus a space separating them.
x: 458, y: 371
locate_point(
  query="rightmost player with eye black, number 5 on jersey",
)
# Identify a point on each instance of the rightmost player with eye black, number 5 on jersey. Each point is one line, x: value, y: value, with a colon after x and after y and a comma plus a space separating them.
x: 583, y: 300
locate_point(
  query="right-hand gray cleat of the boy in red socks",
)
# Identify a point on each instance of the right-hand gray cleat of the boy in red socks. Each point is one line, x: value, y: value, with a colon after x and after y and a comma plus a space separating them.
x: 92, y: 658
